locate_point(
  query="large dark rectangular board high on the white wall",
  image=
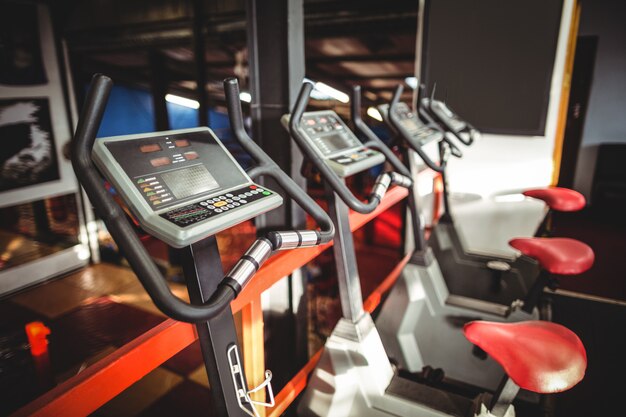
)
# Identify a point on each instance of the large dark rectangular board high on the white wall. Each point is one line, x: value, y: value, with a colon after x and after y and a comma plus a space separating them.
x: 492, y: 60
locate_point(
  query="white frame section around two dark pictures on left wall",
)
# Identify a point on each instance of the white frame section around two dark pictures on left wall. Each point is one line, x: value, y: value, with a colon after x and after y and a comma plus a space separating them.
x: 34, y: 117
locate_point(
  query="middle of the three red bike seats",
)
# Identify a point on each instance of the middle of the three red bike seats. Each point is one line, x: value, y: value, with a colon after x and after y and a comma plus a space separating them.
x: 558, y: 255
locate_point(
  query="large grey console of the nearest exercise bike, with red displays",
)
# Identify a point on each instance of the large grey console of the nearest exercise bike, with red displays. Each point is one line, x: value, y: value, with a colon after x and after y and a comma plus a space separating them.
x: 181, y: 185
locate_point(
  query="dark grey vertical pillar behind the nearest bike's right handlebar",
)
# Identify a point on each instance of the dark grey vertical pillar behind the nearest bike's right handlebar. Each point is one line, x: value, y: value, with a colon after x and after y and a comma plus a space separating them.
x: 275, y: 36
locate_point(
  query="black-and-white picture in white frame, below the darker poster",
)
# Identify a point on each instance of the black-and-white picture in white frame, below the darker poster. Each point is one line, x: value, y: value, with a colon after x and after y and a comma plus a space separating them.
x: 27, y: 148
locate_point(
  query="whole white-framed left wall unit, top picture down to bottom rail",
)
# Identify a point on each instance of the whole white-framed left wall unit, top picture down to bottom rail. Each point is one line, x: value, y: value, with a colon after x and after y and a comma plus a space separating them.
x: 42, y: 221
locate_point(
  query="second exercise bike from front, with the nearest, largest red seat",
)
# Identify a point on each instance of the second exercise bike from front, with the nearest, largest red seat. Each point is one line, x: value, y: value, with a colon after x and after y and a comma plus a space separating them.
x: 354, y: 376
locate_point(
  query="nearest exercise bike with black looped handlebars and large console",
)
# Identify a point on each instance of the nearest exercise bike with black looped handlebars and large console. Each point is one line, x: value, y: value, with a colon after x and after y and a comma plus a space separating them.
x: 183, y: 187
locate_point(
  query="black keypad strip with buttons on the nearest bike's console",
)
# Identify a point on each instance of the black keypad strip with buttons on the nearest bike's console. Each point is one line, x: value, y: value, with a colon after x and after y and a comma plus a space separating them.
x: 215, y: 205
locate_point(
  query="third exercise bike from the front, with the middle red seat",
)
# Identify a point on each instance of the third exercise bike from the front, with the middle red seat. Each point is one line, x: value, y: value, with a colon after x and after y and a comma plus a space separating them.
x: 420, y: 320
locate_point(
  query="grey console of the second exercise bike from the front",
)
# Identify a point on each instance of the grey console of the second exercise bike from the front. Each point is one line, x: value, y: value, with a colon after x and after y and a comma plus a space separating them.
x: 336, y: 143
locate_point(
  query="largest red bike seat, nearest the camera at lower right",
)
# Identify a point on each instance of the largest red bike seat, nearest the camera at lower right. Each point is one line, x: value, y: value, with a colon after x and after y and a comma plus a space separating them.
x: 539, y: 356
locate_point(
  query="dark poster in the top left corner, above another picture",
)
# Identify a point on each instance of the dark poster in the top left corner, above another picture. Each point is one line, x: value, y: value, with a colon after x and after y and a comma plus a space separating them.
x: 21, y: 61
